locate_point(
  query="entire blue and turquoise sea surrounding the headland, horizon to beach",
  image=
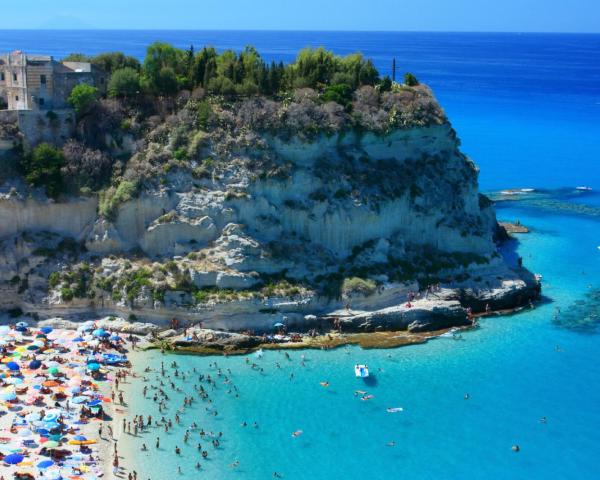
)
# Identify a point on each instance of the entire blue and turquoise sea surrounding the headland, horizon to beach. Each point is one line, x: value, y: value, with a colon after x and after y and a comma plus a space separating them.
x: 527, y: 109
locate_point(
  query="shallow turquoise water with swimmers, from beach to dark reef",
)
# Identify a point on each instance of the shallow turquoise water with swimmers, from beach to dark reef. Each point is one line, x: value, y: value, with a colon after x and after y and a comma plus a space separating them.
x: 510, y: 367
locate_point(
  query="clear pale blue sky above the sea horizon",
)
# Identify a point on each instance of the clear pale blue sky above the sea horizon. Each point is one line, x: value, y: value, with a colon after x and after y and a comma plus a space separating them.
x: 430, y: 15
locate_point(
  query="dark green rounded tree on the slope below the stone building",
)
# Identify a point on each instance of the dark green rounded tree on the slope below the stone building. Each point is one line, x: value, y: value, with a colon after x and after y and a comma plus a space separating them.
x: 42, y: 168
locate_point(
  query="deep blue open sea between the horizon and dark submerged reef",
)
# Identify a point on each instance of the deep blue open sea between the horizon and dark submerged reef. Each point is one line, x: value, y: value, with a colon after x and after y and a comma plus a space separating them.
x: 526, y: 106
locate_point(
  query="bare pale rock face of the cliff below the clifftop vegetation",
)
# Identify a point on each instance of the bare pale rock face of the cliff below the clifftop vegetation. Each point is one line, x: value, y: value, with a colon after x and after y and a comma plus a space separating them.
x: 278, y: 226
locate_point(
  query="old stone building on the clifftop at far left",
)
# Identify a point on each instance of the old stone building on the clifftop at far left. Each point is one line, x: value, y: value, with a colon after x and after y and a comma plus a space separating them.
x: 38, y: 82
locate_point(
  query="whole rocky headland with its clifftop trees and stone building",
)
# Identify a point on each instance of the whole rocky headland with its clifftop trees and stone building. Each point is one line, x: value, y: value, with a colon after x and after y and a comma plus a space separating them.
x: 216, y: 189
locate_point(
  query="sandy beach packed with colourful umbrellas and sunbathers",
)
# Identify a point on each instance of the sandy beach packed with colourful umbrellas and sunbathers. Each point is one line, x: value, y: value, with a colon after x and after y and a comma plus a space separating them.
x: 57, y: 389
